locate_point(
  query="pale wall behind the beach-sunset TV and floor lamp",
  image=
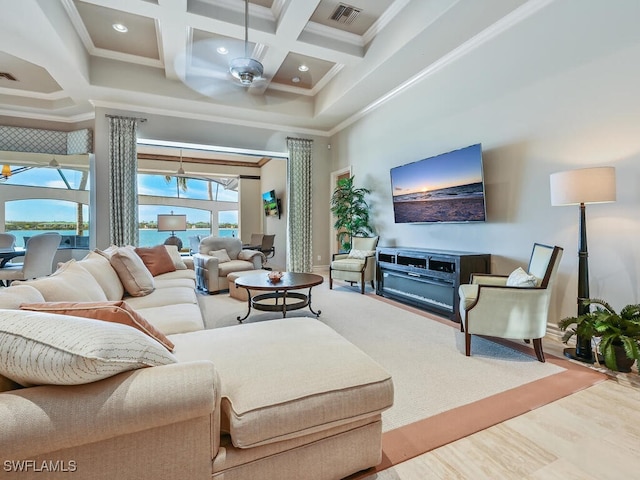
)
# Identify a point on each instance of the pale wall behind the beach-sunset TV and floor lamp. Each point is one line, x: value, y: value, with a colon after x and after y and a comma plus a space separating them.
x: 558, y: 92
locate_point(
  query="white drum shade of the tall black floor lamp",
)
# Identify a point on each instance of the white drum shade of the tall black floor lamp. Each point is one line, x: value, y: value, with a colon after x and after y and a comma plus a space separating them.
x: 584, y: 185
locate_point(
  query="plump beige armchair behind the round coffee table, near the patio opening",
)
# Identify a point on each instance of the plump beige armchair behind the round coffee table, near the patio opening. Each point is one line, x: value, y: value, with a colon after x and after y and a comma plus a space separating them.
x: 219, y: 256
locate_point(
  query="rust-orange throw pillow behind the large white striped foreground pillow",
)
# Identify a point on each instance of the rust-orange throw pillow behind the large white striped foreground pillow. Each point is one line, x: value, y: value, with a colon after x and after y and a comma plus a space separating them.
x: 117, y: 312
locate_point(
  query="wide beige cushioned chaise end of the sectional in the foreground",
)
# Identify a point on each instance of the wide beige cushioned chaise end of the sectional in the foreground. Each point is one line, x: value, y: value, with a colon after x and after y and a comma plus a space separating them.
x: 294, y: 392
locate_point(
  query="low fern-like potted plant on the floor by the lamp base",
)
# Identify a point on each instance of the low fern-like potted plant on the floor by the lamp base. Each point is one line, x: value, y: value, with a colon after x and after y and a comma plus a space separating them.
x: 619, y: 333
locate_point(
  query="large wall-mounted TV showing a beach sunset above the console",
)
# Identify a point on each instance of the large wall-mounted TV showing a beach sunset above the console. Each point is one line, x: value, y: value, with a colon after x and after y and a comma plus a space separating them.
x: 444, y: 188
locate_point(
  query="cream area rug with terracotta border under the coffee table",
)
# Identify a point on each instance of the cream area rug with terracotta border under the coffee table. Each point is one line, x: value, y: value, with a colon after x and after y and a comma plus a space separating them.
x: 440, y: 394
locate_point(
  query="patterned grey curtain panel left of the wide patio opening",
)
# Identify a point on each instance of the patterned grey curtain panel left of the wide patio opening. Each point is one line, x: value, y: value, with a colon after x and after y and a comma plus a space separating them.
x: 123, y: 185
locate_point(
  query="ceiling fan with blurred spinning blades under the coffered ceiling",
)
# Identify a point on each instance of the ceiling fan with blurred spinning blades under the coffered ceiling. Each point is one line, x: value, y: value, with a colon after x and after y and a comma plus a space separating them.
x: 201, y: 69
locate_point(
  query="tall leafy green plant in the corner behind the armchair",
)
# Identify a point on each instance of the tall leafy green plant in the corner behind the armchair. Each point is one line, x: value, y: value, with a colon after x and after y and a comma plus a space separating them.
x: 351, y: 211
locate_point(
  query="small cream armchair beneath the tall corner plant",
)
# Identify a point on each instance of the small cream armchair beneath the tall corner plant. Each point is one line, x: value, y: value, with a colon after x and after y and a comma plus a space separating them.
x: 359, y: 265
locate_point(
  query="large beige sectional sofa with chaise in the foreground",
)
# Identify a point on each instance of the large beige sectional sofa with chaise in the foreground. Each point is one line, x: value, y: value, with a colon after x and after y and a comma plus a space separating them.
x: 283, y: 399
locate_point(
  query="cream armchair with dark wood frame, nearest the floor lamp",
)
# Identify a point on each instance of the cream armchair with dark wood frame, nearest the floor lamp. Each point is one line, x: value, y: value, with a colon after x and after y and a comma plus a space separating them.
x: 514, y: 306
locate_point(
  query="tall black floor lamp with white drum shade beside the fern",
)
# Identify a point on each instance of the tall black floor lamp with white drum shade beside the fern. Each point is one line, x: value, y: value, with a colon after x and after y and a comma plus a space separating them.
x: 579, y: 187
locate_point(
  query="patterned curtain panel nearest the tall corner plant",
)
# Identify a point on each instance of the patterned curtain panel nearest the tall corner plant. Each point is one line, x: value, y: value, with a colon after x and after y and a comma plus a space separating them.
x: 299, y: 181
